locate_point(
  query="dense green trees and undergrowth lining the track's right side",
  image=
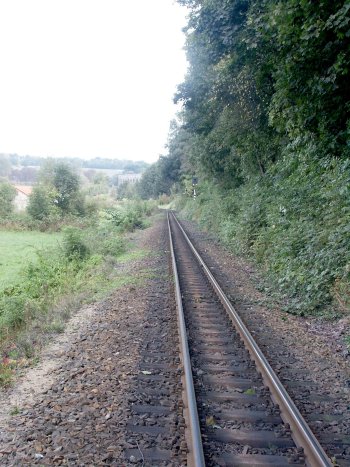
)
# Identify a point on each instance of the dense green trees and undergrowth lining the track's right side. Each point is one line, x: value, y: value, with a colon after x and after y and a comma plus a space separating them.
x: 265, y: 127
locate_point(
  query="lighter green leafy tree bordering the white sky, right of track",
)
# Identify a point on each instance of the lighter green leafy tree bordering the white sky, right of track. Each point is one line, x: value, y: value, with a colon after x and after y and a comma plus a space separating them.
x: 227, y: 92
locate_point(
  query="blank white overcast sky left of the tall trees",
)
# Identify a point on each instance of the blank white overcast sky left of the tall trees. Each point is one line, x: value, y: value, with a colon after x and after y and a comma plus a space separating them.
x: 89, y: 78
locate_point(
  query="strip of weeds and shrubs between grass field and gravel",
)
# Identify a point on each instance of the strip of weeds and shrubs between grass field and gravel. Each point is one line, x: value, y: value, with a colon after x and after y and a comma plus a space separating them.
x: 81, y: 268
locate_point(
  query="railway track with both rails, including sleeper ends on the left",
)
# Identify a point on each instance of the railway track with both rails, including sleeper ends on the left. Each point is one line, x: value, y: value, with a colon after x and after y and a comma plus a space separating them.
x: 237, y: 413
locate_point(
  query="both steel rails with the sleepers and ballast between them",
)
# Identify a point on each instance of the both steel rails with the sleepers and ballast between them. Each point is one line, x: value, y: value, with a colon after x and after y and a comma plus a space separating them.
x: 245, y: 416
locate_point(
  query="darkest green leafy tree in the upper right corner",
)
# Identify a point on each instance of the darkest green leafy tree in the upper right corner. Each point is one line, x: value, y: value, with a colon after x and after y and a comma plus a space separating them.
x: 311, y: 67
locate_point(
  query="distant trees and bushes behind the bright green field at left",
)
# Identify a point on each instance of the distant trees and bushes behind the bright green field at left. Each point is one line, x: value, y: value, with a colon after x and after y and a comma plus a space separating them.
x: 60, y: 195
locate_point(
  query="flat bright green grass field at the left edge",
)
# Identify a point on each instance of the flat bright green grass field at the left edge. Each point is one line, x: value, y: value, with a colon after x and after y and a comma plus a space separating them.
x: 17, y: 249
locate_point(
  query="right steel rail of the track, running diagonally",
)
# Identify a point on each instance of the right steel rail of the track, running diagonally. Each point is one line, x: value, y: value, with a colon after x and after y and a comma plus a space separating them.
x: 301, y: 433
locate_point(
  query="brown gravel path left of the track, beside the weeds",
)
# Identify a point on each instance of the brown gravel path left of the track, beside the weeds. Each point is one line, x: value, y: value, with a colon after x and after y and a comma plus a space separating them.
x: 75, y: 406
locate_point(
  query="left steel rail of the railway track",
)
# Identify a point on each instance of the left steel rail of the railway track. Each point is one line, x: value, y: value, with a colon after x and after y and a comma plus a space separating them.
x: 196, y: 448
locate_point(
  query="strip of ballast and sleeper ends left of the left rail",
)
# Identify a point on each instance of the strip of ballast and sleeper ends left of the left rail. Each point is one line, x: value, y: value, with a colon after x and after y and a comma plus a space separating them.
x: 155, y: 427
